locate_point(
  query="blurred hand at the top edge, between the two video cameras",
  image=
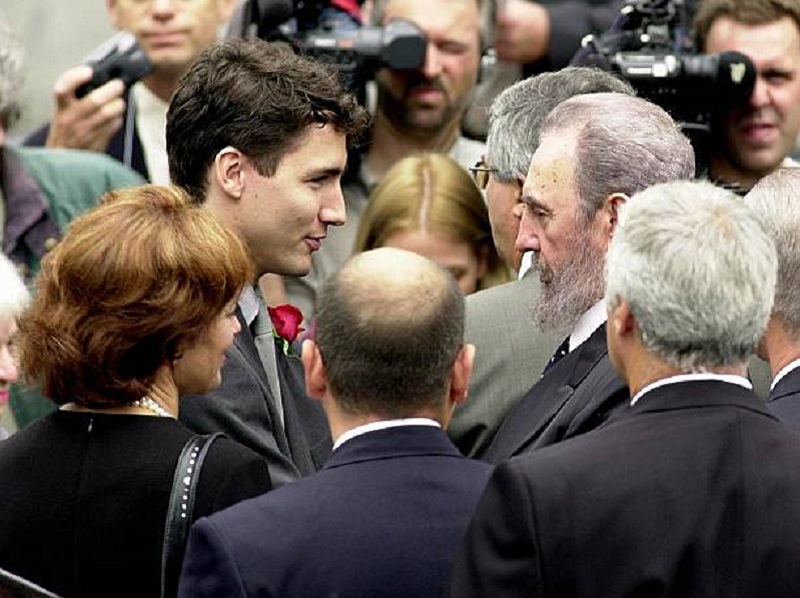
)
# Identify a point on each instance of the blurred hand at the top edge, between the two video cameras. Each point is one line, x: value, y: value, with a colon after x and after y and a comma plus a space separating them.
x: 522, y: 31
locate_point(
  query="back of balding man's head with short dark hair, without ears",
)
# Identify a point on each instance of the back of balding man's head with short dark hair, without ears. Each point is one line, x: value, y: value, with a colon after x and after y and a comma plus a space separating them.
x: 389, y: 326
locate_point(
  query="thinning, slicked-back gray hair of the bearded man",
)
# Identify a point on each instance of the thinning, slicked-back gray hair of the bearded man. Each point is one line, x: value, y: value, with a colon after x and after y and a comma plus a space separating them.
x: 624, y: 145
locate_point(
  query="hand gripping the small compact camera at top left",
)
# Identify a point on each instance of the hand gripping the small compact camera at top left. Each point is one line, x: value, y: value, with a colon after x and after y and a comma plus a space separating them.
x: 89, y: 122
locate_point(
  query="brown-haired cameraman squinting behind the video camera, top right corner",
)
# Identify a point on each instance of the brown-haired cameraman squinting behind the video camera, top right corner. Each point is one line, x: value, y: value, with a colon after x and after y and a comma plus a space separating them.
x: 751, y: 140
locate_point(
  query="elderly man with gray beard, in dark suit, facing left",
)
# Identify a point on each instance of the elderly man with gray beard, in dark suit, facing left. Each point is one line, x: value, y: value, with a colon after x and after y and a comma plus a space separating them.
x: 580, y: 175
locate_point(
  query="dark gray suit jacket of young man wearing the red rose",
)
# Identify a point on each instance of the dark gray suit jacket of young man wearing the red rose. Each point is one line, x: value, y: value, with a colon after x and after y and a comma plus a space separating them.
x: 240, y: 408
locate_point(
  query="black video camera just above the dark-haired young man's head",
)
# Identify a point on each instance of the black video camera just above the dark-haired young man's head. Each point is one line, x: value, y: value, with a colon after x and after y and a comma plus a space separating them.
x: 357, y: 51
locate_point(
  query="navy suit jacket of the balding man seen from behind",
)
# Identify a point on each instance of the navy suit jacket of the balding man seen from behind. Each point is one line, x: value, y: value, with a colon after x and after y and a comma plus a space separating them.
x: 382, y: 519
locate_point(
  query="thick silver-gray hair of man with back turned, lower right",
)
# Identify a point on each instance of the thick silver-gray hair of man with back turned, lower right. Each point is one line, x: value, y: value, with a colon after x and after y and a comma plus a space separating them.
x: 698, y: 269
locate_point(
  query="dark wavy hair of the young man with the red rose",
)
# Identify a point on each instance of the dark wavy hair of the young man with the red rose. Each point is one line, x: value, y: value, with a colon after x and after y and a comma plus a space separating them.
x: 258, y: 97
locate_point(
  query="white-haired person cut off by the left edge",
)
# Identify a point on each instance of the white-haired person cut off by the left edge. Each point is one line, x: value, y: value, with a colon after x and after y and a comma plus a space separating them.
x: 13, y: 299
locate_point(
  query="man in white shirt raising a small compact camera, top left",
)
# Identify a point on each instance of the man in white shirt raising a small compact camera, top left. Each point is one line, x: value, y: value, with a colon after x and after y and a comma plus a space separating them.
x: 128, y: 123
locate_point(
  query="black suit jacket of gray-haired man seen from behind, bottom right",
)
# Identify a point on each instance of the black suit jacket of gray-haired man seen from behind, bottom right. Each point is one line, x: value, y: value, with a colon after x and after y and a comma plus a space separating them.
x: 691, y: 493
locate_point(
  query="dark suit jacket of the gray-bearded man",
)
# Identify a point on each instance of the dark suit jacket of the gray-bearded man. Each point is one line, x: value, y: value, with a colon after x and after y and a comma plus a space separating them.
x: 575, y: 396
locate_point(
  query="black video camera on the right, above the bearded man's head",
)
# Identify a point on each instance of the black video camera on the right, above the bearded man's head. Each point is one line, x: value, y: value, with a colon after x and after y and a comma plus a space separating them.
x: 650, y: 46
